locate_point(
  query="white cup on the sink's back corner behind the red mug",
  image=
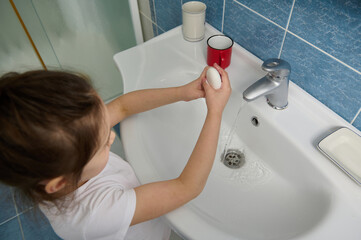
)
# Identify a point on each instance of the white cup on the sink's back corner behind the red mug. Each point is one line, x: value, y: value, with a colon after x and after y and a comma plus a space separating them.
x: 194, y: 16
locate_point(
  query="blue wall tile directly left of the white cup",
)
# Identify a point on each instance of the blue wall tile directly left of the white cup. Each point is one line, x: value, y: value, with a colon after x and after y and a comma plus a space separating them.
x: 168, y: 13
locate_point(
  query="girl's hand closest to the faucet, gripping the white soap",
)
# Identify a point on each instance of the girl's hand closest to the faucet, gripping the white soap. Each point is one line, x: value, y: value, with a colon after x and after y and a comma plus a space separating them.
x: 217, y: 99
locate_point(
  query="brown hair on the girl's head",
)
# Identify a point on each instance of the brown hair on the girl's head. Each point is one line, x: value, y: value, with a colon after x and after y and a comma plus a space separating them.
x: 49, y: 127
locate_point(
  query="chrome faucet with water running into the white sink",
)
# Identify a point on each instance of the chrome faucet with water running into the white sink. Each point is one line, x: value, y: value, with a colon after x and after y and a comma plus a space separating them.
x: 274, y: 85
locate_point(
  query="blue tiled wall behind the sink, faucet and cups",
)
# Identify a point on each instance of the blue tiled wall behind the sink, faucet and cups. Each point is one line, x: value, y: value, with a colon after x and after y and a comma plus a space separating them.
x: 321, y: 39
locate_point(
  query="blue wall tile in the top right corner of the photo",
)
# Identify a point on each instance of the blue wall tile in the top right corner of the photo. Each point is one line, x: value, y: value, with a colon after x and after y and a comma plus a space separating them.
x: 333, y: 25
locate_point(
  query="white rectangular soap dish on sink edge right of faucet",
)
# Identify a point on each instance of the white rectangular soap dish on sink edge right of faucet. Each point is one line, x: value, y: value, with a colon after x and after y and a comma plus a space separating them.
x: 343, y: 147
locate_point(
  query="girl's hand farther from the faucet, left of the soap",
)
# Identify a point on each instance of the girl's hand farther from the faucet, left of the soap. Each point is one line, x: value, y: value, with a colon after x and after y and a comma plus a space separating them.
x: 194, y: 90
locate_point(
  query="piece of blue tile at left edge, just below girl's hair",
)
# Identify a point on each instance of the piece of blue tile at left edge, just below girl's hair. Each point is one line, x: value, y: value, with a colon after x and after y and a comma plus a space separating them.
x: 7, y: 208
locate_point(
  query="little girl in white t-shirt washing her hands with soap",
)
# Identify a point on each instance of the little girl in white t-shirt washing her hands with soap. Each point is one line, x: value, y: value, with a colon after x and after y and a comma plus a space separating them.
x: 55, y: 136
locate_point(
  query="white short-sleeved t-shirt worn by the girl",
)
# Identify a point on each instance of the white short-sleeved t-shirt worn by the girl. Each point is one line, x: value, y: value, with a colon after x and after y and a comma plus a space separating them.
x: 103, y: 208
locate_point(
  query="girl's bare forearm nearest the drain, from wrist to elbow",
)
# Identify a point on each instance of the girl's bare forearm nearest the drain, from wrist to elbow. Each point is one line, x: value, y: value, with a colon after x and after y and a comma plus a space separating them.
x: 195, y: 173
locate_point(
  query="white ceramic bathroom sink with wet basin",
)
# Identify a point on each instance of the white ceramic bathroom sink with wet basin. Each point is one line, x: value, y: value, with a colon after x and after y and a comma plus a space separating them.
x: 286, y: 189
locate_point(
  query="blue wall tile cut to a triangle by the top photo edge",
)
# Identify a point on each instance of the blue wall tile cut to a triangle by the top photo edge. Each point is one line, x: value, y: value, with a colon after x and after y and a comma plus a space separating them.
x: 276, y: 10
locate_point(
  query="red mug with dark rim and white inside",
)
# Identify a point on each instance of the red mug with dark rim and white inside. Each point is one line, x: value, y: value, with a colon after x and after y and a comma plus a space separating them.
x: 219, y: 50
